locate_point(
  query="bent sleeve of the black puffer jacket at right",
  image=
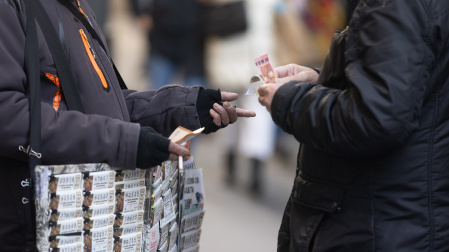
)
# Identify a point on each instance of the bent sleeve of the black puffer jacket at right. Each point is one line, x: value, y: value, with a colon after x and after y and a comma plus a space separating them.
x: 388, y: 57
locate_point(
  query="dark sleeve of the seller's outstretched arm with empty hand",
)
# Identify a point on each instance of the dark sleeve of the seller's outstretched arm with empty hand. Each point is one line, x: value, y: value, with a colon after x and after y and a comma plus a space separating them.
x: 166, y: 108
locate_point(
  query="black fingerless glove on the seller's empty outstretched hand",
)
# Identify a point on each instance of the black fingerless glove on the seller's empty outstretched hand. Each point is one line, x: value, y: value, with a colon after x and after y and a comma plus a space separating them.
x: 204, y: 103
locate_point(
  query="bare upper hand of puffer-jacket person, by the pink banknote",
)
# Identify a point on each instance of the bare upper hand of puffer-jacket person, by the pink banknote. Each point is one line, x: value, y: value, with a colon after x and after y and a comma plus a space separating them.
x: 292, y: 72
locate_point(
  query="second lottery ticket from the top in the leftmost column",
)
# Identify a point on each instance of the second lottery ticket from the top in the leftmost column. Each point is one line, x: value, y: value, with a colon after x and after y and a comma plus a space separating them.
x: 66, y: 200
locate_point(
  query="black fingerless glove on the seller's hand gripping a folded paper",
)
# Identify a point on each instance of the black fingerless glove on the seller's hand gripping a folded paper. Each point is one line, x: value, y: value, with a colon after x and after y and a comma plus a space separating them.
x: 152, y: 148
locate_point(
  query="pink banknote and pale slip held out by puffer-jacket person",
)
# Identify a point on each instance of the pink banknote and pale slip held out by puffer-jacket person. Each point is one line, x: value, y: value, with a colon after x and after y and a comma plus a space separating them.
x: 267, y: 74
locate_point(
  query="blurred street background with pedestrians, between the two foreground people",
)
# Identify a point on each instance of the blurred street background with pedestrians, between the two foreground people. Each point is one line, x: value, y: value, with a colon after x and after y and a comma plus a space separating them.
x: 248, y: 167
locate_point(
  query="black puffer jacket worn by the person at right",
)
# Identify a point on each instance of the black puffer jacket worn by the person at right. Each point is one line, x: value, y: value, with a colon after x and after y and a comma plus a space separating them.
x: 373, y: 168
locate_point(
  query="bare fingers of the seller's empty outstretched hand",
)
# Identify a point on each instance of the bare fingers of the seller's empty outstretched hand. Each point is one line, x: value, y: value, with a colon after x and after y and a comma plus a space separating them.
x: 223, y: 115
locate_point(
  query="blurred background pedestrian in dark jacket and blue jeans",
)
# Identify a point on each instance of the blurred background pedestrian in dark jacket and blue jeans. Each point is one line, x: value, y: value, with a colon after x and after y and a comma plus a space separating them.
x: 175, y: 45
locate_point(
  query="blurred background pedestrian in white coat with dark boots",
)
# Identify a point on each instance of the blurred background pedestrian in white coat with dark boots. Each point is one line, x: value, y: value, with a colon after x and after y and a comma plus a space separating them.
x: 230, y: 65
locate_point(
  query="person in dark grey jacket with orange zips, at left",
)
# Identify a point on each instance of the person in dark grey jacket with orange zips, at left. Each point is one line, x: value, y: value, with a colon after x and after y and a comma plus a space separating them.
x: 123, y: 128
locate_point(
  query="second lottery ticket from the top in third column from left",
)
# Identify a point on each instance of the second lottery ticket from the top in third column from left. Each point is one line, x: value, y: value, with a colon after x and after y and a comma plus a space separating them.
x: 129, y: 200
